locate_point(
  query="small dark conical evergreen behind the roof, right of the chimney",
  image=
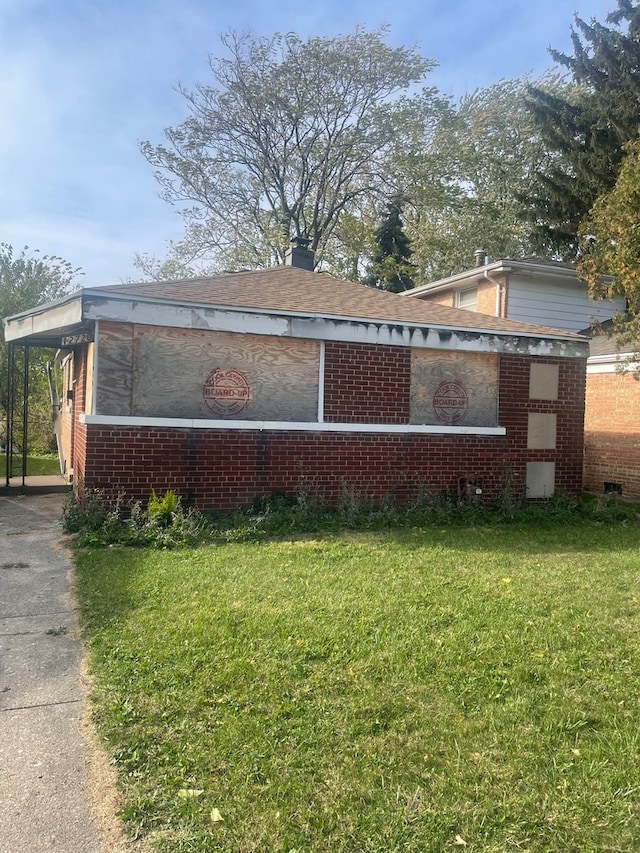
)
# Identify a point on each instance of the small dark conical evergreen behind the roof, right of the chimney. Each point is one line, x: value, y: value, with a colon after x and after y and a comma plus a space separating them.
x: 391, y: 267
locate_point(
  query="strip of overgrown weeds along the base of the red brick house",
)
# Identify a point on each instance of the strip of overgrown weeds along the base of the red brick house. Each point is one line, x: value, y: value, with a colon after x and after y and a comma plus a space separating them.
x: 102, y: 519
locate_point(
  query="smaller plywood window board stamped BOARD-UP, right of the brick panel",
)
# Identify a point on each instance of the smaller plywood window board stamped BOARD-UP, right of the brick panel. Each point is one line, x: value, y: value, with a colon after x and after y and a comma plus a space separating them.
x: 454, y: 388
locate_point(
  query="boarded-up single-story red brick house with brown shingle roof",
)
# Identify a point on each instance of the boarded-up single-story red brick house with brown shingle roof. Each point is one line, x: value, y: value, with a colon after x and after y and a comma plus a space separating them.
x: 229, y: 388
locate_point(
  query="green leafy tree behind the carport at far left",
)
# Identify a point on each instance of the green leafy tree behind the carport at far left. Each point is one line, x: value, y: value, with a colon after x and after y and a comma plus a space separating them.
x: 28, y: 280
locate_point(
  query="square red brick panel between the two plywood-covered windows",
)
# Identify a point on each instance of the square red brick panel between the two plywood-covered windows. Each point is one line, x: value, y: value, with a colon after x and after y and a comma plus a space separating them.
x: 366, y: 383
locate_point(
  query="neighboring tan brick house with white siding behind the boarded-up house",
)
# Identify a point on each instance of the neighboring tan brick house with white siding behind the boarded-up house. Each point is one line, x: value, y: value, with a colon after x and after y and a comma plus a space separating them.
x: 537, y: 291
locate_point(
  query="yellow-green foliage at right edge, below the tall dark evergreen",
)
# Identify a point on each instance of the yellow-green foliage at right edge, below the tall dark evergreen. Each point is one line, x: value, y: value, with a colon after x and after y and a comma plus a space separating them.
x: 610, y: 242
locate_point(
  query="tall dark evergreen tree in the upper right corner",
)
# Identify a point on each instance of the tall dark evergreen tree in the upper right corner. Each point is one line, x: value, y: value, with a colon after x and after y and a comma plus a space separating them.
x: 585, y: 127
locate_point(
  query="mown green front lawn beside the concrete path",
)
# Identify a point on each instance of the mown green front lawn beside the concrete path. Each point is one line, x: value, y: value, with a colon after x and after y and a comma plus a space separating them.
x: 415, y: 691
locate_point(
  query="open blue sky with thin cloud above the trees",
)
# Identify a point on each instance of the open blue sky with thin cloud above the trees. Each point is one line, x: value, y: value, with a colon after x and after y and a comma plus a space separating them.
x: 83, y: 81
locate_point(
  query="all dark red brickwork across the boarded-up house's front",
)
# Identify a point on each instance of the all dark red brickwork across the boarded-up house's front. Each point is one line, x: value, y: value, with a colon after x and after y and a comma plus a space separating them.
x: 223, y: 469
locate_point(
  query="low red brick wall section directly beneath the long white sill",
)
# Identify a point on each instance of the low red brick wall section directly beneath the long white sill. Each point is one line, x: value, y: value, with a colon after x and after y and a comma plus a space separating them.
x: 224, y: 469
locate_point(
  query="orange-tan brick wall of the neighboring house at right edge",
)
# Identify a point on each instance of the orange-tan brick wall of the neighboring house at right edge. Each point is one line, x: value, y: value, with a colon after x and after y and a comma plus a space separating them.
x: 612, y: 433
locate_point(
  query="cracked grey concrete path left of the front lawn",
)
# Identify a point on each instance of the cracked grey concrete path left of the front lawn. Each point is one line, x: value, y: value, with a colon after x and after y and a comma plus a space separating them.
x: 45, y: 803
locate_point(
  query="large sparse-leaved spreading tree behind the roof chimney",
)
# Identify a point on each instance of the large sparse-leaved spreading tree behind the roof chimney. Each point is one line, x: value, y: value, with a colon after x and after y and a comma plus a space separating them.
x: 289, y: 138
